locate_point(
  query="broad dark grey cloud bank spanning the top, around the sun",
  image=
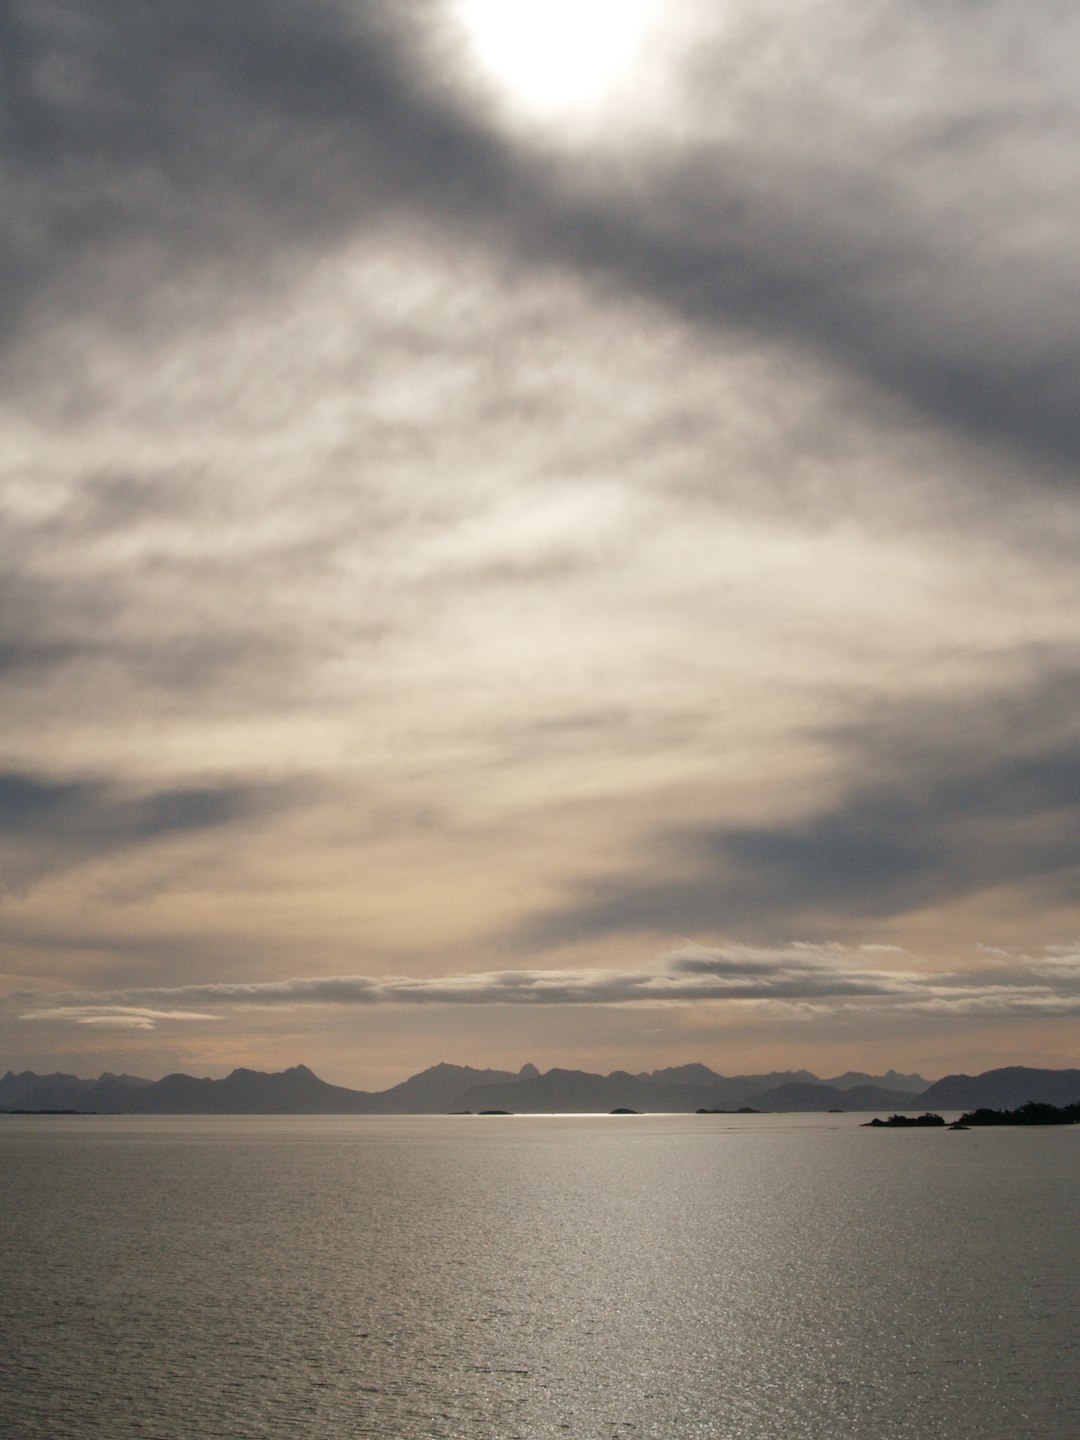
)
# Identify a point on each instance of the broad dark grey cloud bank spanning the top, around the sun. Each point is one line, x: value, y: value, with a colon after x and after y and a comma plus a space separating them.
x: 912, y: 224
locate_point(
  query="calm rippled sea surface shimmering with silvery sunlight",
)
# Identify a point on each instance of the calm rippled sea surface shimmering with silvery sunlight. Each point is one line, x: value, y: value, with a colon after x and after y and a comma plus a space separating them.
x: 752, y: 1278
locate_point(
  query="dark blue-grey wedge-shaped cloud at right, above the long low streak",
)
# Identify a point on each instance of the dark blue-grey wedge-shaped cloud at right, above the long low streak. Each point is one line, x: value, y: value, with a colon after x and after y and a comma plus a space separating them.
x: 935, y: 804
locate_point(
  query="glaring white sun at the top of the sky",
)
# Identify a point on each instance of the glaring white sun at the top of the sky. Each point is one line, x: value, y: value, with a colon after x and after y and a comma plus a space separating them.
x: 552, y: 58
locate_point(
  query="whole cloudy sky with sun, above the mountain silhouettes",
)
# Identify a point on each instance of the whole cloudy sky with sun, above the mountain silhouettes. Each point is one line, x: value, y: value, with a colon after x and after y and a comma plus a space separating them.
x: 539, y: 532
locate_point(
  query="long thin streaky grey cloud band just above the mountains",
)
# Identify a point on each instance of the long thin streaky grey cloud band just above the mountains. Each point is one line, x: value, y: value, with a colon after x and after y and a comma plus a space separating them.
x: 810, y: 978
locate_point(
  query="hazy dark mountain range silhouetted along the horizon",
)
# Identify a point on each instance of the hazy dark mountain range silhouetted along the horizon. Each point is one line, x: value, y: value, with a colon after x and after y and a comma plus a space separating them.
x: 447, y: 1088
